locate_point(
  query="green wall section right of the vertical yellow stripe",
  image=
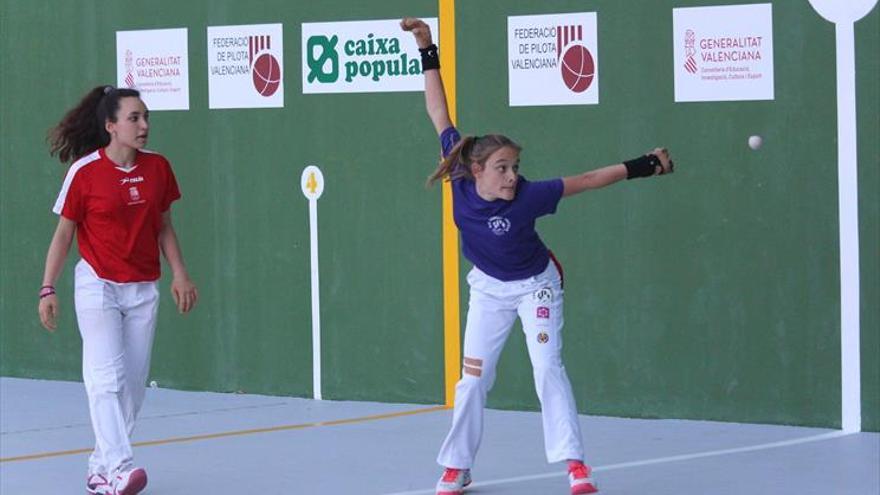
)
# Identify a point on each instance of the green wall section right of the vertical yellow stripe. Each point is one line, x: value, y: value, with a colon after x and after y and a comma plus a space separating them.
x: 713, y: 293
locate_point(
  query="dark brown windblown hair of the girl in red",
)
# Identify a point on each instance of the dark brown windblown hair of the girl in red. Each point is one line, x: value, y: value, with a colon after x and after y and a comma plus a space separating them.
x: 82, y: 131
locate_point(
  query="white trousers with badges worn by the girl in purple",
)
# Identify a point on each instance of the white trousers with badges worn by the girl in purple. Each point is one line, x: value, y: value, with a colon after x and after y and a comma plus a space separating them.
x: 493, y: 308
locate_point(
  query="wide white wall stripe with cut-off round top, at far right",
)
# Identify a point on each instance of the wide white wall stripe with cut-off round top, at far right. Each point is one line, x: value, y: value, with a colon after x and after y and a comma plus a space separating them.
x: 844, y: 14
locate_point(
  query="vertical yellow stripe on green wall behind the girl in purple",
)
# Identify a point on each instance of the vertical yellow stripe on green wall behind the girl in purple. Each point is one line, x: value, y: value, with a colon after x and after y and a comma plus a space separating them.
x: 451, y: 323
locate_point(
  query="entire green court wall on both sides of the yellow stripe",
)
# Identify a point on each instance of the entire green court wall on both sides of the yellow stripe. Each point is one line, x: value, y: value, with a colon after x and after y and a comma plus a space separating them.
x: 710, y: 294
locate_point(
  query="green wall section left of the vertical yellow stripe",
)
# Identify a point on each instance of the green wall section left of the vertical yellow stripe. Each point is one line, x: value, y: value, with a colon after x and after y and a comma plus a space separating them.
x: 243, y: 220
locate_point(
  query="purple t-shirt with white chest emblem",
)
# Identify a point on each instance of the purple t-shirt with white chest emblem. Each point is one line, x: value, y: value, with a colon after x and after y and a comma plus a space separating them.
x: 499, y: 236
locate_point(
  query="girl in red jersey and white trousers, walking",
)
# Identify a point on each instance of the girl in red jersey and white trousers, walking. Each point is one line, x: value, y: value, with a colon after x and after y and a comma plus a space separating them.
x: 117, y: 199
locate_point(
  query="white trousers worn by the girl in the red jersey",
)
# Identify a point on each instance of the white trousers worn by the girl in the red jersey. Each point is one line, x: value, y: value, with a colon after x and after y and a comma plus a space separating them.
x: 117, y: 323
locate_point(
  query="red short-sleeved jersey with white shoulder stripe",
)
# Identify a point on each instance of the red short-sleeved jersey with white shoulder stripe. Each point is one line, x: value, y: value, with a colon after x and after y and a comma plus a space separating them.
x: 118, y: 213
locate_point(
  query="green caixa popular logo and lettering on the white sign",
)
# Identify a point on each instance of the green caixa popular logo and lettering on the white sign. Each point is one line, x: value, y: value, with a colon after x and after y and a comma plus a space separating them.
x: 372, y: 57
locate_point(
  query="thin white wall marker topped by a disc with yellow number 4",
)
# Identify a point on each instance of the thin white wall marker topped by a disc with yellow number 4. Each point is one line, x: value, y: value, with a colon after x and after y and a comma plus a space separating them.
x: 312, y: 182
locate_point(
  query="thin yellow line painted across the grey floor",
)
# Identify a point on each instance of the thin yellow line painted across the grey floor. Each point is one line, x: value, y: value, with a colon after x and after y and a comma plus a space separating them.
x: 209, y: 436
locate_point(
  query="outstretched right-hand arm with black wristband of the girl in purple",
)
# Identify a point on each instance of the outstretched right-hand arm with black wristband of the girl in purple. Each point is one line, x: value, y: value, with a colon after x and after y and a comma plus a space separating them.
x: 657, y: 162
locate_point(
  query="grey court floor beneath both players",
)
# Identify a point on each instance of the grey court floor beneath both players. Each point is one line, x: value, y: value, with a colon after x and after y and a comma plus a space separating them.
x: 309, y: 447
